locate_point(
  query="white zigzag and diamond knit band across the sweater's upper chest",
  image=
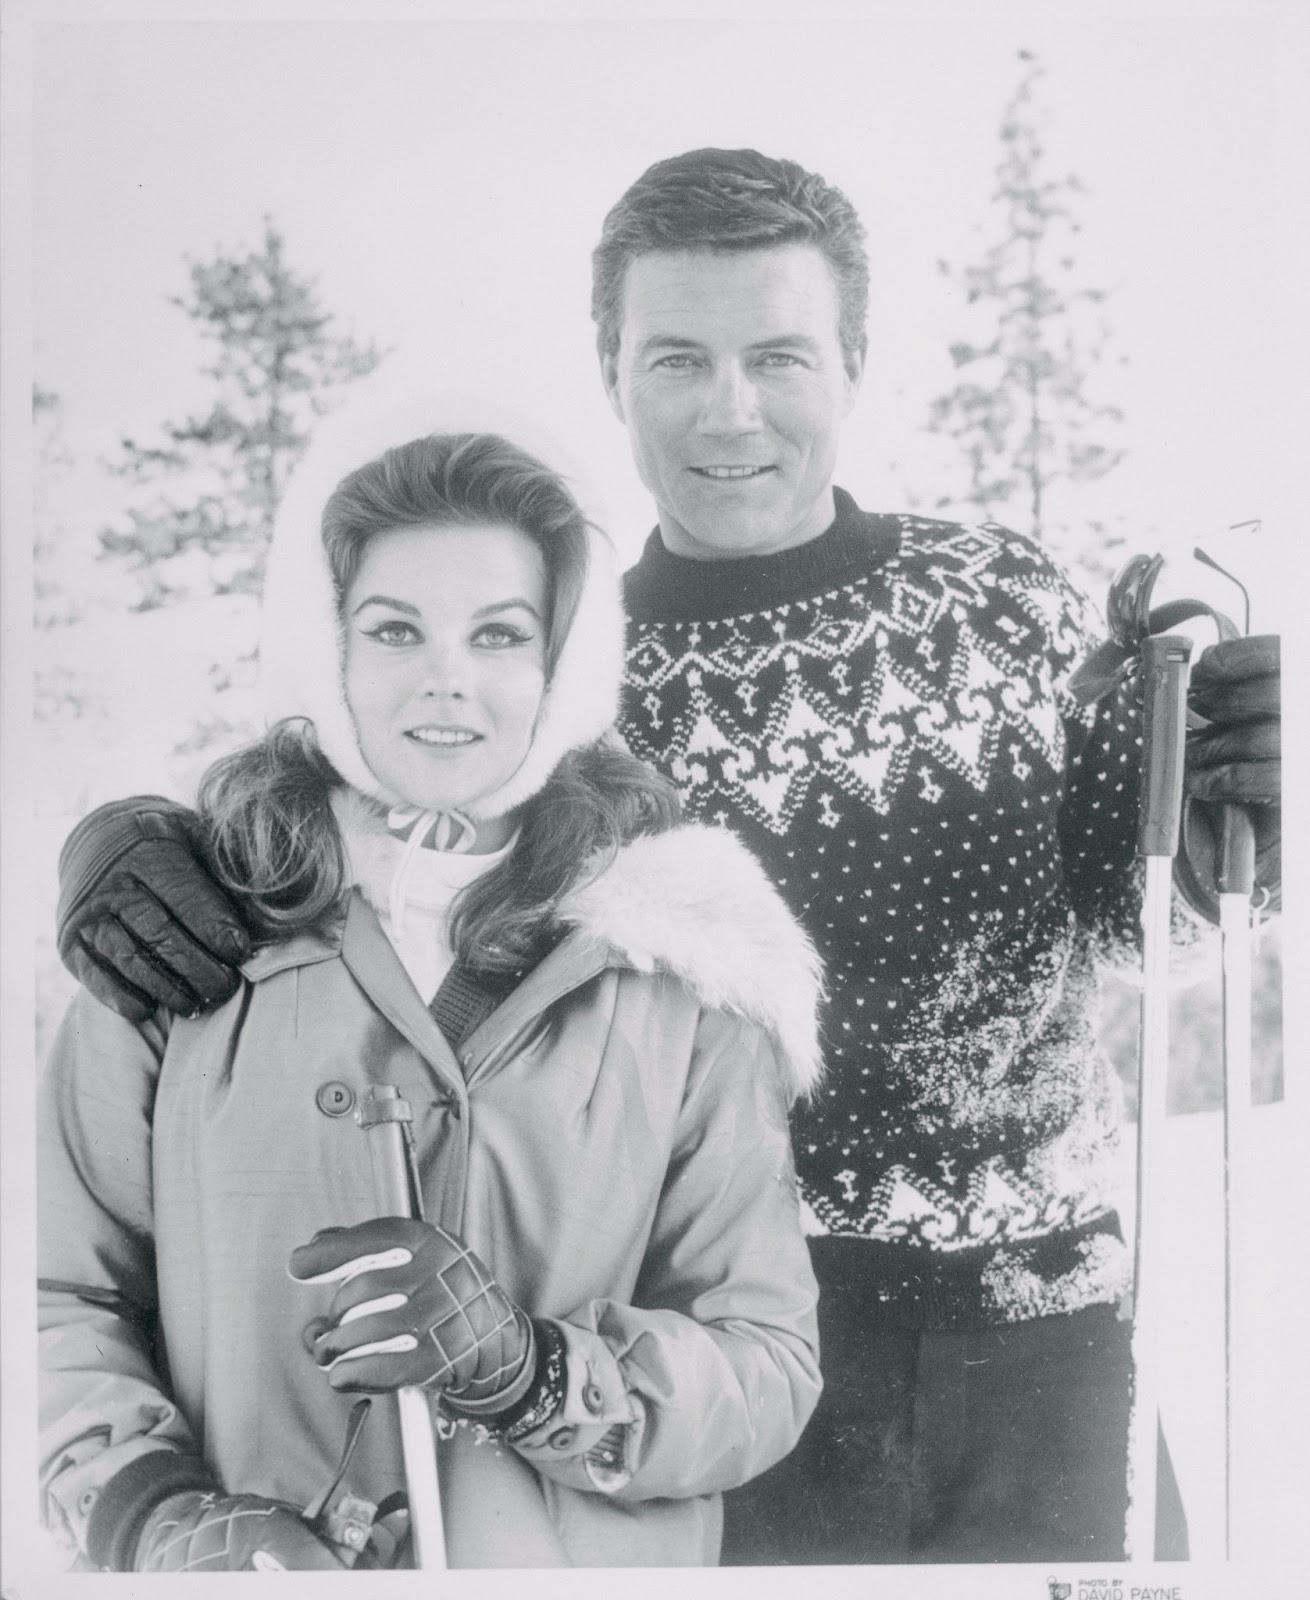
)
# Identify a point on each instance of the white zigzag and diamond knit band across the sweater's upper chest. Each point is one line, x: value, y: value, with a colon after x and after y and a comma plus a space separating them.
x: 929, y: 666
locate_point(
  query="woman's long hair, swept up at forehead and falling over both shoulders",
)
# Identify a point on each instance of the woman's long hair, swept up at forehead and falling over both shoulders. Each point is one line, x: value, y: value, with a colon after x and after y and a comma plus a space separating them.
x: 273, y: 838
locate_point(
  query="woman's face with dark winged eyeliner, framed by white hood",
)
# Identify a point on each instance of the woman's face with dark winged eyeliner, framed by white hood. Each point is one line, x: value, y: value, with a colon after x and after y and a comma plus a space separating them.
x: 445, y: 663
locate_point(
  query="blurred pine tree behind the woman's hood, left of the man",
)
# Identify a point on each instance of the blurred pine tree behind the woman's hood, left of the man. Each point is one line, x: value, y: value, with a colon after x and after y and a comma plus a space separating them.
x: 209, y: 490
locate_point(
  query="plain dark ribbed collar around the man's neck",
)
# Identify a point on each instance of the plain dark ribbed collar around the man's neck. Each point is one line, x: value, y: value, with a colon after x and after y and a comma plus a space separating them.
x: 666, y: 588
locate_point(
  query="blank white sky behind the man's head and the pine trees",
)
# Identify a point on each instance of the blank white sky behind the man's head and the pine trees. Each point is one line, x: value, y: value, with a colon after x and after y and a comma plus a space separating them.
x: 447, y: 182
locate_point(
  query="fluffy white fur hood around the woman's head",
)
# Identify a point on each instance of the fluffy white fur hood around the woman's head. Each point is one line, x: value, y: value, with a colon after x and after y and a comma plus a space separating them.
x: 302, y: 639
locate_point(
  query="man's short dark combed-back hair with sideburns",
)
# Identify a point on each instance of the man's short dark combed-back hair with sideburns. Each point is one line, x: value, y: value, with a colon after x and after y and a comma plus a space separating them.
x: 725, y: 201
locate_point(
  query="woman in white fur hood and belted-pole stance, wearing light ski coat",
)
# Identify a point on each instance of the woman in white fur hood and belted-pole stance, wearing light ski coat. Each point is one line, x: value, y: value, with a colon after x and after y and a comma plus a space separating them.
x: 597, y: 1018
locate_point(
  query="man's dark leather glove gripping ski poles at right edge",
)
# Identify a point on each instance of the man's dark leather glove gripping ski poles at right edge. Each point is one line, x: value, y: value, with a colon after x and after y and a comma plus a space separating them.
x: 1236, y: 759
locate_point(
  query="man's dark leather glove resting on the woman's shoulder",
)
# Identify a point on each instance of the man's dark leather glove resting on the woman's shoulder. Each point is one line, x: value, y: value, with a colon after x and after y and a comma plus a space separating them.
x: 142, y: 922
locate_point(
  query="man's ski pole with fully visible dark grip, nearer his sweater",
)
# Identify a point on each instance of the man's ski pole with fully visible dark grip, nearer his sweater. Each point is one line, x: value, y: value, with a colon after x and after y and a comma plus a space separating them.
x: 1165, y: 660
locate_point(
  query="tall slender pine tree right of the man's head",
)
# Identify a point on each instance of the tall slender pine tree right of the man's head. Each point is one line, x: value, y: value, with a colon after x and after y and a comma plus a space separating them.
x: 1026, y: 410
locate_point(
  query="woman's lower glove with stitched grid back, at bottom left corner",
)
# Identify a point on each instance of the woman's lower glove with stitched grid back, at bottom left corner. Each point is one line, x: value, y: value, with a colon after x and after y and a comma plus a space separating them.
x: 201, y: 1532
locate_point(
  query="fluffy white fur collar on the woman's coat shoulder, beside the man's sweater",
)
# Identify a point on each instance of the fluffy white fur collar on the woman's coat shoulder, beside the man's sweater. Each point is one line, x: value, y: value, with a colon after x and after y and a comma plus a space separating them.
x: 697, y: 903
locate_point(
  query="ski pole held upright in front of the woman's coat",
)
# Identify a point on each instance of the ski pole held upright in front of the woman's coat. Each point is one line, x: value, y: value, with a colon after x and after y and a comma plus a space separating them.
x: 383, y: 1114
